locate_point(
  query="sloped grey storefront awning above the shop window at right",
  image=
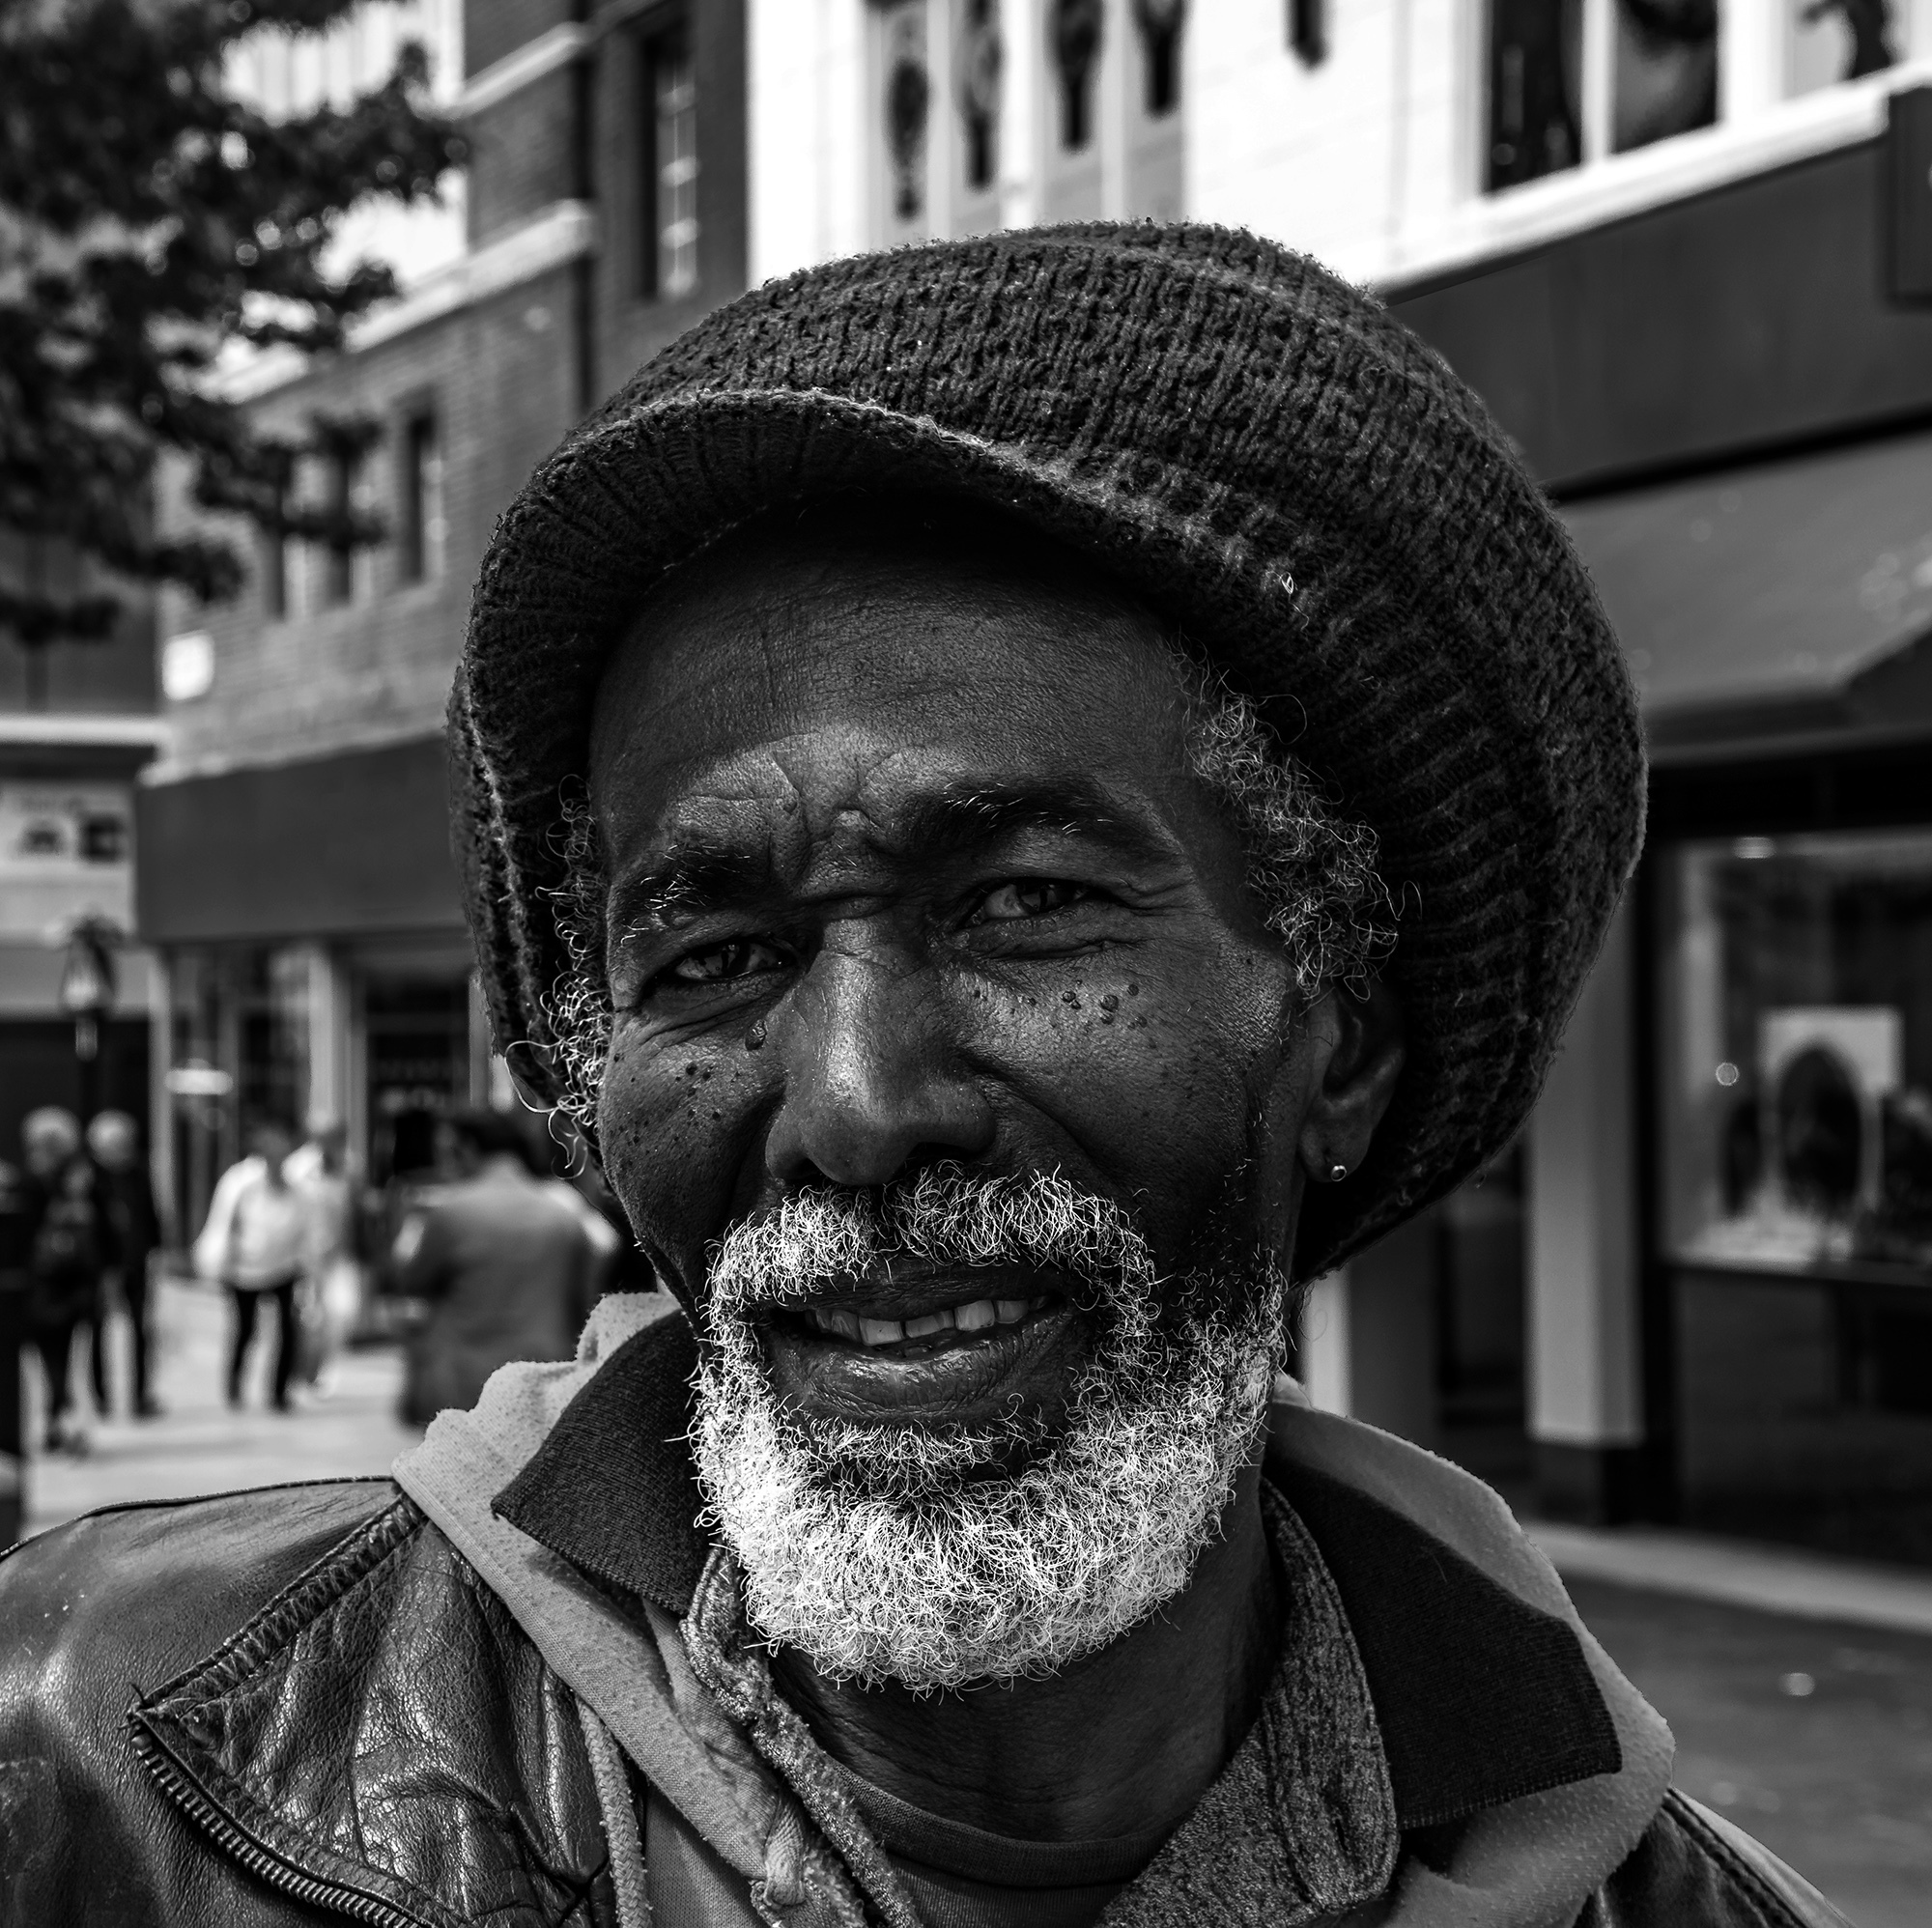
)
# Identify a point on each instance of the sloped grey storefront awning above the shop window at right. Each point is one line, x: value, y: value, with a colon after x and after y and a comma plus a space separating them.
x: 1782, y: 598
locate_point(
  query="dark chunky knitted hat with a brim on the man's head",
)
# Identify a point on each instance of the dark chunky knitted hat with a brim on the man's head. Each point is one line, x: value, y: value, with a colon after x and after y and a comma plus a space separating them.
x: 1253, y: 447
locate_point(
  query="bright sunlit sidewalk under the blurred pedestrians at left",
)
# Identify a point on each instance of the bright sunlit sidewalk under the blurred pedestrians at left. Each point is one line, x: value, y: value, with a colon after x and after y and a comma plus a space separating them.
x: 198, y: 1446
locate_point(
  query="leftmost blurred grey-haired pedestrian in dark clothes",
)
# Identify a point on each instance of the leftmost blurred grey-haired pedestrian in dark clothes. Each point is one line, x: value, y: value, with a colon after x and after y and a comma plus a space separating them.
x: 71, y: 1245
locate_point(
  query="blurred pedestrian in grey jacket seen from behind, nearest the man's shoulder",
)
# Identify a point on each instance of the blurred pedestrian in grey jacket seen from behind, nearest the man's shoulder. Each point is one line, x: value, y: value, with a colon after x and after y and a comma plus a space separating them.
x: 503, y: 1264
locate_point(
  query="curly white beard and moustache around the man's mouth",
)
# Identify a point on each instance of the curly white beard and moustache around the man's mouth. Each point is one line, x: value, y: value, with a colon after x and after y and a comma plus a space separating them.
x: 909, y: 1554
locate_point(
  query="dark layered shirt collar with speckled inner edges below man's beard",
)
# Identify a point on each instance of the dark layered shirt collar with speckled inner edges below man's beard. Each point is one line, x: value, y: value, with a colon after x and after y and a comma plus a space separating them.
x: 1417, y: 1689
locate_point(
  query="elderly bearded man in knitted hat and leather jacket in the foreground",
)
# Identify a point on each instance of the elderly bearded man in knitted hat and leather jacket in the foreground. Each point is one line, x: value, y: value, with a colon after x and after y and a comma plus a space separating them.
x: 1027, y: 797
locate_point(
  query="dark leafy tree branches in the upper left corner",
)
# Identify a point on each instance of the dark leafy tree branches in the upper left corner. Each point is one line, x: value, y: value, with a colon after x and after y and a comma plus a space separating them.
x: 150, y: 221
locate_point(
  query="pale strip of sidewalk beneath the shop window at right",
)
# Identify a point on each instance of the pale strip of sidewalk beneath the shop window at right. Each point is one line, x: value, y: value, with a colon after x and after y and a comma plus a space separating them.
x: 1738, y: 1574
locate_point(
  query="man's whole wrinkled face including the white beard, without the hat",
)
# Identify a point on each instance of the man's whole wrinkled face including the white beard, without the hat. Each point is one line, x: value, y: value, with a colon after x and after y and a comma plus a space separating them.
x: 955, y: 1087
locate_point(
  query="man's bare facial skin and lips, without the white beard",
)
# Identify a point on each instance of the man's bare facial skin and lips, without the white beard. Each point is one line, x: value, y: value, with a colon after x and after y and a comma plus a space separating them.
x: 907, y: 868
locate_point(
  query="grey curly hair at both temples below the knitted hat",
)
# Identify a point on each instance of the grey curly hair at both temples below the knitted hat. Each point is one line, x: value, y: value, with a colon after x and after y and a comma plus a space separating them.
x: 1309, y: 868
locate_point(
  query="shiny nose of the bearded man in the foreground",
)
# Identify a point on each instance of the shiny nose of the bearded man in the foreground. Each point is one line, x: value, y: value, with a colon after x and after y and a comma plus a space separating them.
x: 874, y: 1081
